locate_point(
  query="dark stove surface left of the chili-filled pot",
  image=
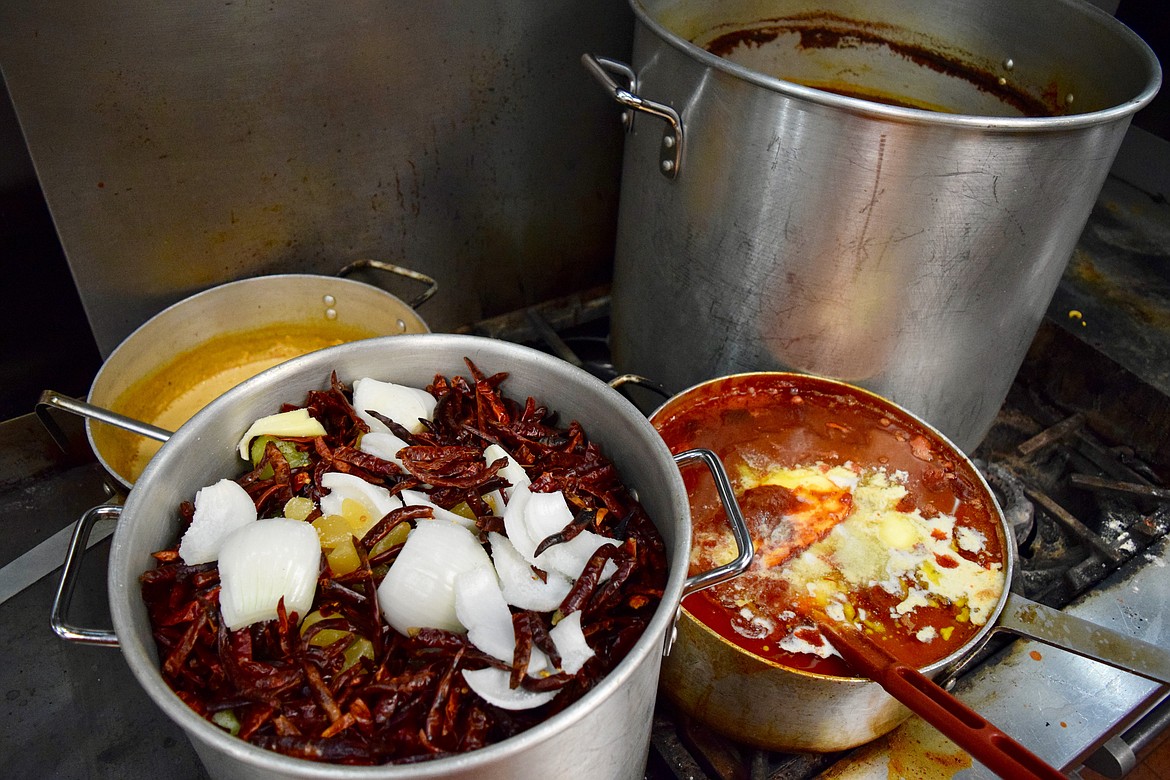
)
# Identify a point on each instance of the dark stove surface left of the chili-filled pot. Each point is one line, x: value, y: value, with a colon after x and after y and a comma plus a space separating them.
x: 70, y: 710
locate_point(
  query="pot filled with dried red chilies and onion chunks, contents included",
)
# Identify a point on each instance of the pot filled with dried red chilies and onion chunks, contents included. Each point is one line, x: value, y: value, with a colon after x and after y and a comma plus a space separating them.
x: 421, y: 556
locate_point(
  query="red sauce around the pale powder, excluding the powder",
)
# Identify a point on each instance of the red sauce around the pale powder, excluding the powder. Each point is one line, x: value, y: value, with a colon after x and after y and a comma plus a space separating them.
x: 792, y: 422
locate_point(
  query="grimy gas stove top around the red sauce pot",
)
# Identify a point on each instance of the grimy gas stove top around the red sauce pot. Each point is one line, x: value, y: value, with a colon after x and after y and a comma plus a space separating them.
x: 1079, y: 460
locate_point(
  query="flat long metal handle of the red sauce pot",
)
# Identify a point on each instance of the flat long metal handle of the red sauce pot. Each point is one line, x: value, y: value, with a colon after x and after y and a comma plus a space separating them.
x: 1036, y: 622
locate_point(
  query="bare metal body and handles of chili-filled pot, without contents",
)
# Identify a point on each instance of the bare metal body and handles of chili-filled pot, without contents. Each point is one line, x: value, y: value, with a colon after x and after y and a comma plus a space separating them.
x: 603, y: 735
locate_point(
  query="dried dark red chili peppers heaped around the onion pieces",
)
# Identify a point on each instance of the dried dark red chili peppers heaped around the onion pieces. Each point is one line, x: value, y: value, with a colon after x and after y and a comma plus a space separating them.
x: 409, y: 702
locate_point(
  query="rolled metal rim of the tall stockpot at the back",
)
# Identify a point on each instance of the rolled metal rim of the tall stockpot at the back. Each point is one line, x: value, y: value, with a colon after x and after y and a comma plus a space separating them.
x: 1123, y: 111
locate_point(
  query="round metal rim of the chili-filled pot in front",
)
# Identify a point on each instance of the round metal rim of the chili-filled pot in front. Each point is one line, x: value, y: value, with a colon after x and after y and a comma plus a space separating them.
x: 142, y: 655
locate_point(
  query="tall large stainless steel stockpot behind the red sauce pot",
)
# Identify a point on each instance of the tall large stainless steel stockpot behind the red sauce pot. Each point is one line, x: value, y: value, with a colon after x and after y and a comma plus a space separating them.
x: 907, y: 251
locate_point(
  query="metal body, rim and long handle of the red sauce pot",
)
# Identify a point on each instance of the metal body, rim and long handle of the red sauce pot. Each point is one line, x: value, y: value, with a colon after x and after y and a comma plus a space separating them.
x: 768, y: 705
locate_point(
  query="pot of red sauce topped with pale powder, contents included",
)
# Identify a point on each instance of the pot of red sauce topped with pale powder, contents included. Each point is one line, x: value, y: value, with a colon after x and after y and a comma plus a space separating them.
x: 858, y: 510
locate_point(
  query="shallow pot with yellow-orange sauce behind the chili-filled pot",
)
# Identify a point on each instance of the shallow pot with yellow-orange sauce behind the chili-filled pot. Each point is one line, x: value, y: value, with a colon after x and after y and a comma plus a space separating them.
x: 202, y: 347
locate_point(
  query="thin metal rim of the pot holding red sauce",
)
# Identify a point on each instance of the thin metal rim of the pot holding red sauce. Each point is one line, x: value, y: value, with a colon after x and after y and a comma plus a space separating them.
x: 980, y: 638
